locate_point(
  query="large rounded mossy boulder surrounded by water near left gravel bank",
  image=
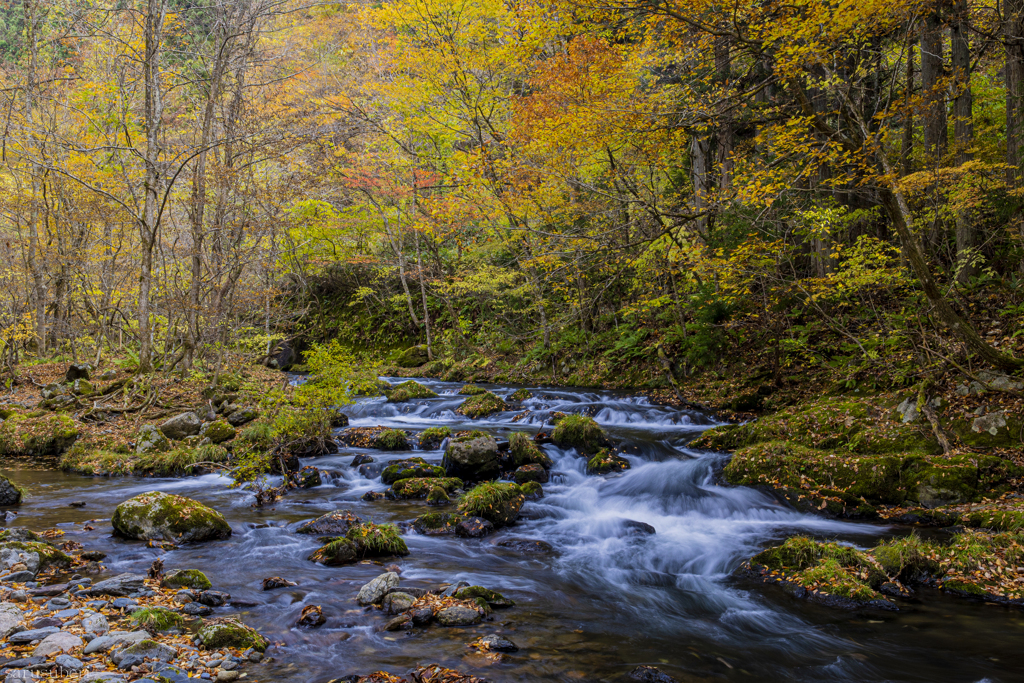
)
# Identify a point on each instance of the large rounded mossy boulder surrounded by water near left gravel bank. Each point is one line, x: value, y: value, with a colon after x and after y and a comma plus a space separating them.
x: 158, y: 517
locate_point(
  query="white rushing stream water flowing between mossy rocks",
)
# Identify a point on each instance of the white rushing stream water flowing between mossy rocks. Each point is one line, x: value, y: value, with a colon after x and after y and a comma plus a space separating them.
x: 601, y: 604
